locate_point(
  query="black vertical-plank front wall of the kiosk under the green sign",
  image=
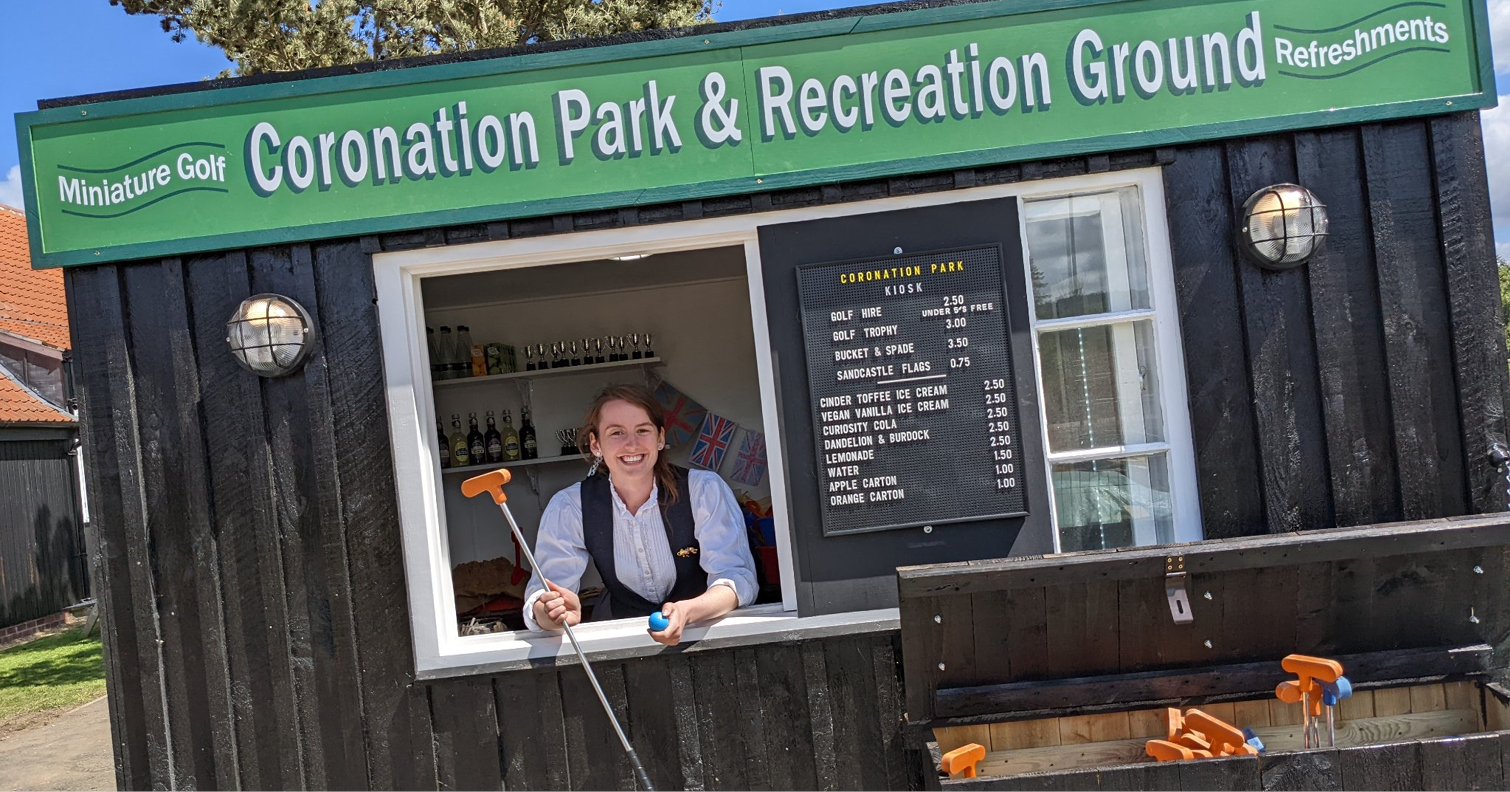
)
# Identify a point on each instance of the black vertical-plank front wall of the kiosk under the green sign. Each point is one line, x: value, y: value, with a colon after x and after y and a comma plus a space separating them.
x: 250, y: 557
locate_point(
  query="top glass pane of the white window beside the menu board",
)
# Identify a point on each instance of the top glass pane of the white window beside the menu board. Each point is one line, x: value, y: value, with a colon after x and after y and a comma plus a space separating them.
x: 1086, y: 256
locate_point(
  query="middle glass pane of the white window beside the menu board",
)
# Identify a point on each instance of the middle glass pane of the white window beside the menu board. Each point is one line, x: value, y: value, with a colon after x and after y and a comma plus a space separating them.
x: 1102, y: 387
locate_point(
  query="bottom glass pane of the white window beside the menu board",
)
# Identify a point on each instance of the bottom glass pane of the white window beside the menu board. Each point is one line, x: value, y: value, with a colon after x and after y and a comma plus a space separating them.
x: 1114, y: 503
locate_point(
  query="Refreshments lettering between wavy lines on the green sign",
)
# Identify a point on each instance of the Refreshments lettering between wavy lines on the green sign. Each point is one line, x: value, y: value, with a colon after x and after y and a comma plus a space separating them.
x: 1328, y: 54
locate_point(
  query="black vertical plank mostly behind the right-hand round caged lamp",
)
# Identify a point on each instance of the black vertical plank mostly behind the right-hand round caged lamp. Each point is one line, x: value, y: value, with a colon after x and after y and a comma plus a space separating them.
x: 1283, y: 364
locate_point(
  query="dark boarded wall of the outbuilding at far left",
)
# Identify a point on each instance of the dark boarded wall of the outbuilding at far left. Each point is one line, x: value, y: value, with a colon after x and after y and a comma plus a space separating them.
x: 42, y: 535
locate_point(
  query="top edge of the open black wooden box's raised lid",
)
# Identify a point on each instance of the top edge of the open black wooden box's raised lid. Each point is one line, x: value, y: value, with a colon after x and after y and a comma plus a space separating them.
x: 1206, y: 557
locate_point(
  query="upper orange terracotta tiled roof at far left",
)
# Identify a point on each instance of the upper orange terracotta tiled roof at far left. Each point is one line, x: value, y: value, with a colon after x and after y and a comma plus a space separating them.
x: 31, y: 301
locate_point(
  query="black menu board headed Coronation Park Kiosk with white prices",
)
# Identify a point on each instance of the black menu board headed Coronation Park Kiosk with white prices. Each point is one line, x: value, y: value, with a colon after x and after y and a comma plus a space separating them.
x: 914, y: 402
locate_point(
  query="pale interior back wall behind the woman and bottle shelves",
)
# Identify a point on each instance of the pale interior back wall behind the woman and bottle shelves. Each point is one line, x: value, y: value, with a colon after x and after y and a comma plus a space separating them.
x: 701, y: 330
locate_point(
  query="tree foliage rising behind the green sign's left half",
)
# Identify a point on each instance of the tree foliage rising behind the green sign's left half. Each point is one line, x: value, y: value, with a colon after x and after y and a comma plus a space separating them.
x: 288, y: 35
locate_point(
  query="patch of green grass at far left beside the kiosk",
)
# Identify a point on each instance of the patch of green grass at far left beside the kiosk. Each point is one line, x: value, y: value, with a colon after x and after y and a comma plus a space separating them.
x: 57, y: 672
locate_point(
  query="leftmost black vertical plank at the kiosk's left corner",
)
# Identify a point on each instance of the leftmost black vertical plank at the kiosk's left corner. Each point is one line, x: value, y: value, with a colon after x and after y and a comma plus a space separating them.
x: 96, y: 313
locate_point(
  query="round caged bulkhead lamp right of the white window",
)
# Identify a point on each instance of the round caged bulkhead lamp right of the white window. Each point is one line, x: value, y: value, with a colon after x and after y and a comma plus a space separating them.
x: 1283, y: 227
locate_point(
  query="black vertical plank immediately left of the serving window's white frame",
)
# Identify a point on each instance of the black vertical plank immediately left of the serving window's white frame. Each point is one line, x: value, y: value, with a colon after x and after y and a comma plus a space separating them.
x: 398, y: 731
